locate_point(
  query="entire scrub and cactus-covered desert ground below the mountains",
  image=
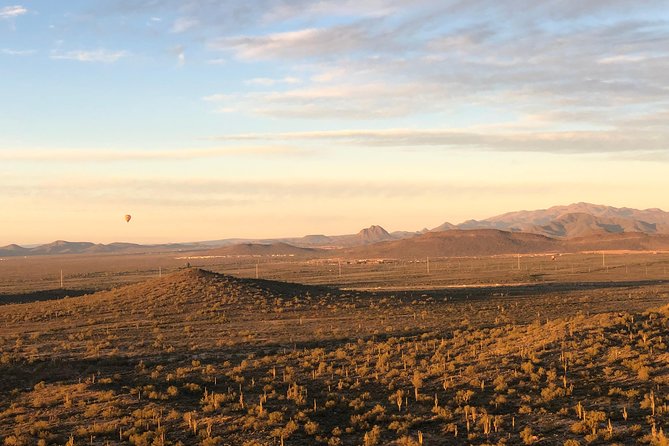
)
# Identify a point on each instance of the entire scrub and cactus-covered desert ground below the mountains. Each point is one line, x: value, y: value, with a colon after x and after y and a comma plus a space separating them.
x: 181, y: 348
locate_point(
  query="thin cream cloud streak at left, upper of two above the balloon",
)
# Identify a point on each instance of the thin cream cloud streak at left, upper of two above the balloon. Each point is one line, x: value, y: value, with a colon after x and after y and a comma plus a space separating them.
x: 105, y: 155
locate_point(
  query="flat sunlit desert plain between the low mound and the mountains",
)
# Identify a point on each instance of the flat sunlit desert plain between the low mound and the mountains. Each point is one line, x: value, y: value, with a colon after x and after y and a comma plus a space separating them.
x: 92, y: 272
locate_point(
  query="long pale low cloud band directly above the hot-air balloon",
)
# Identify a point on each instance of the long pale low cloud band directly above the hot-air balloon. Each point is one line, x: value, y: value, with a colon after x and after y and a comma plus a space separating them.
x: 248, y: 192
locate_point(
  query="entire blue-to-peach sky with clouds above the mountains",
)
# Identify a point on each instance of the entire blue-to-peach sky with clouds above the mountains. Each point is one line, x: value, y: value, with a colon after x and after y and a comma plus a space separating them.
x: 212, y: 119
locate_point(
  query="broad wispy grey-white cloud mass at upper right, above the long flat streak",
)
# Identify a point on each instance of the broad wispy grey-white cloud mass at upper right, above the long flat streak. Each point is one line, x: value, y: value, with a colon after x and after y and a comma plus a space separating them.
x: 409, y: 59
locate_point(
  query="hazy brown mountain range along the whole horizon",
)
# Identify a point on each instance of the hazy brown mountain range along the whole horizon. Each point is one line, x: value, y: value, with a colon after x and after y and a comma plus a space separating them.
x: 559, y: 228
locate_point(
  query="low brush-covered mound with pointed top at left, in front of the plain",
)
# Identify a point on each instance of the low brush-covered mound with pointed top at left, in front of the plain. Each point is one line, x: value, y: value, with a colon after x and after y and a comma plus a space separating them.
x: 189, y: 309
